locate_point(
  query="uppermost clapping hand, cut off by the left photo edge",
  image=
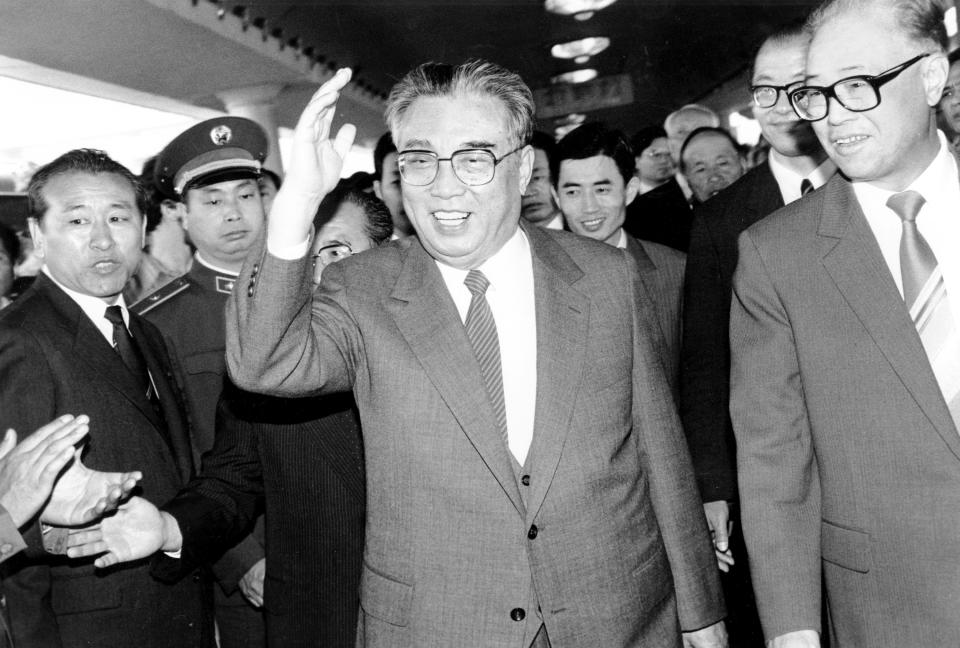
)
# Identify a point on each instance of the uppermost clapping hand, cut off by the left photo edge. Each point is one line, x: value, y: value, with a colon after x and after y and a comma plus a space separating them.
x: 28, y: 471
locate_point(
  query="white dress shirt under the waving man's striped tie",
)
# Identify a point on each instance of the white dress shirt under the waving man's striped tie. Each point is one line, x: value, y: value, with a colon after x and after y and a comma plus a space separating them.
x: 511, y: 299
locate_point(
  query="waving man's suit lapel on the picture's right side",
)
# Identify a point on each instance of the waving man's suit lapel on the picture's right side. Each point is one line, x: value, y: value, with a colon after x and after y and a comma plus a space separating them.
x: 562, y: 333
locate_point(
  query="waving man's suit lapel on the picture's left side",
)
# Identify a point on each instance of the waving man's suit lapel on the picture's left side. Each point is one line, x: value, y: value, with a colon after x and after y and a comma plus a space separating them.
x: 427, y: 318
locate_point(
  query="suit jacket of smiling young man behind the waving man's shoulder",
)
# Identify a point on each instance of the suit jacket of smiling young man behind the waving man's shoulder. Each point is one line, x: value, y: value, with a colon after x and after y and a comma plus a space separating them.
x: 661, y: 271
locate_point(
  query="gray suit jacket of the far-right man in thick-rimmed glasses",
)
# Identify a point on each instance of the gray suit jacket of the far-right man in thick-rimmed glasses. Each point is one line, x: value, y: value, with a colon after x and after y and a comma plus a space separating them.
x: 848, y: 459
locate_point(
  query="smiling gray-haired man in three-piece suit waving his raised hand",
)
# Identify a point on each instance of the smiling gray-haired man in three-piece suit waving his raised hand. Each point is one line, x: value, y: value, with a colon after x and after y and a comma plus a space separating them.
x: 527, y: 478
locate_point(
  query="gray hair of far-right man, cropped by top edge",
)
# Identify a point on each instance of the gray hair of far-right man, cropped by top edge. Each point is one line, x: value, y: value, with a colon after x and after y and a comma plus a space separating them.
x: 920, y: 20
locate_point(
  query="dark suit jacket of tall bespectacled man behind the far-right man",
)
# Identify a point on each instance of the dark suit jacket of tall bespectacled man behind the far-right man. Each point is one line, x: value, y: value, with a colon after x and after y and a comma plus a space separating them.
x: 705, y: 358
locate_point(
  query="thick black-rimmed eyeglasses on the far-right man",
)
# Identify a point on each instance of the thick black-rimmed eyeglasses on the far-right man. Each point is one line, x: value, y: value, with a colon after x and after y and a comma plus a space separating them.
x: 856, y: 94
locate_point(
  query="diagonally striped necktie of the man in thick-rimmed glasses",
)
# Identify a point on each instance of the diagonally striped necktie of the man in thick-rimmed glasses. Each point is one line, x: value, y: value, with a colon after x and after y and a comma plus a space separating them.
x: 926, y: 296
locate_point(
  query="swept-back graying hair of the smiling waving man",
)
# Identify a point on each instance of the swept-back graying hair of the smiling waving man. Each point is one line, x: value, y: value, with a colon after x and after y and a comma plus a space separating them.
x: 477, y: 77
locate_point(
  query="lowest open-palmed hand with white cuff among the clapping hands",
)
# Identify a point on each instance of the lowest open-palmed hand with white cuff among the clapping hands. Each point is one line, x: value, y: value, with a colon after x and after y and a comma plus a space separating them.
x: 137, y: 530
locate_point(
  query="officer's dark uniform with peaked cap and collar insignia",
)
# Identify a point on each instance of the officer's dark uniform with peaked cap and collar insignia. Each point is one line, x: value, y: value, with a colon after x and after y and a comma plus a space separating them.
x: 189, y: 312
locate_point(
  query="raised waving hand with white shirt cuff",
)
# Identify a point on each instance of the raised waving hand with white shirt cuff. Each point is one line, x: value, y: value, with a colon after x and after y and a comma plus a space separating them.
x: 315, y: 165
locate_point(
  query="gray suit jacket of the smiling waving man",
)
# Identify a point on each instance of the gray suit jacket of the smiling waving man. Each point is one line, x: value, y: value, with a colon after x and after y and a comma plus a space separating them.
x: 604, y: 534
